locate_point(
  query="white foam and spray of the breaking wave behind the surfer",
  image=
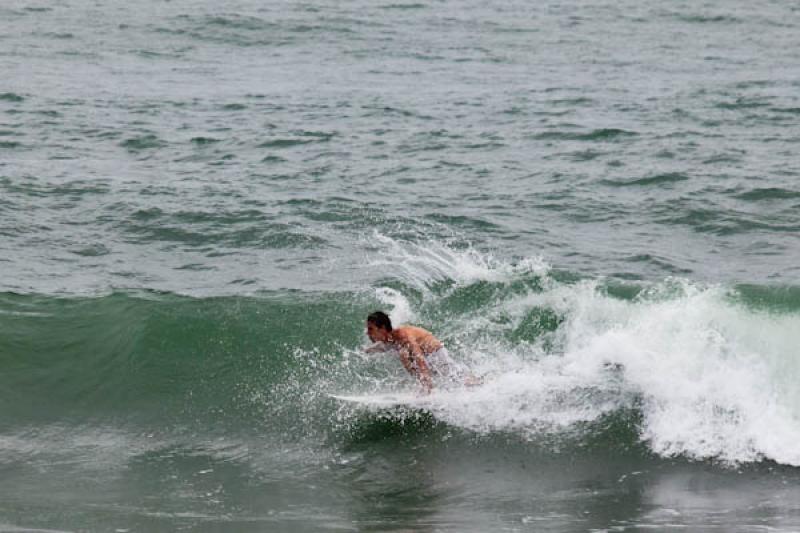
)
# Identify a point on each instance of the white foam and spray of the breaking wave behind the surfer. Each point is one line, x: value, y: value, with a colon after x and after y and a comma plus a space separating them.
x: 711, y: 377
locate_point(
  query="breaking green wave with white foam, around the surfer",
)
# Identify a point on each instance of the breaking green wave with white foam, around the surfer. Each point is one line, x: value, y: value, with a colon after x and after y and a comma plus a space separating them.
x: 674, y: 368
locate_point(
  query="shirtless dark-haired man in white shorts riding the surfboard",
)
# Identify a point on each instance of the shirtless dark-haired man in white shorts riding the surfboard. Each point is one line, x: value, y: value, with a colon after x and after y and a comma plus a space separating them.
x: 422, y: 354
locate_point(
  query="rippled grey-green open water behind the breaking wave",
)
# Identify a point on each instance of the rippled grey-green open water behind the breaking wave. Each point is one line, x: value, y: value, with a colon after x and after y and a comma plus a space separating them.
x: 205, y: 146
